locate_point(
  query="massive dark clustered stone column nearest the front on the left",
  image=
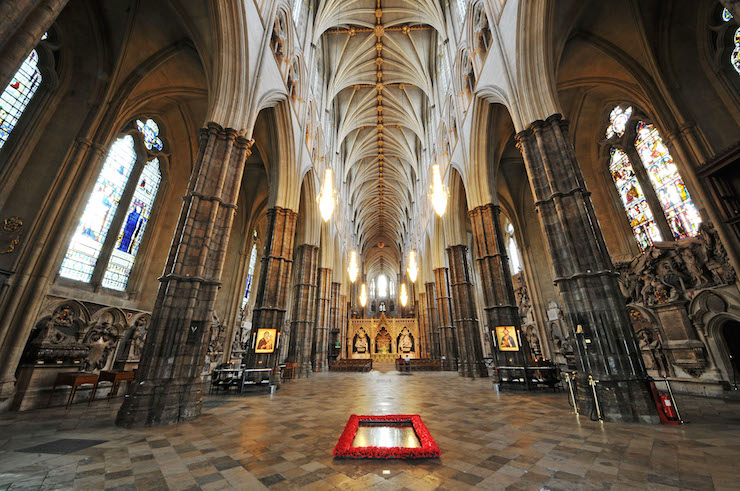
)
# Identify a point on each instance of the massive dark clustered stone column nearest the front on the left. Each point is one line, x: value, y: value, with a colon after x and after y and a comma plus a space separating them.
x: 167, y: 388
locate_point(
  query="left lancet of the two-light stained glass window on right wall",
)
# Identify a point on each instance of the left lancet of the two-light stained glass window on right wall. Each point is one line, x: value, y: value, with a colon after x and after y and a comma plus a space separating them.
x: 633, y: 199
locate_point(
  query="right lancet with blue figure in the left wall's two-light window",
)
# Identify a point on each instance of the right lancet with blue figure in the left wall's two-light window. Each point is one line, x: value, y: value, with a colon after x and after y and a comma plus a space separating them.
x: 132, y: 231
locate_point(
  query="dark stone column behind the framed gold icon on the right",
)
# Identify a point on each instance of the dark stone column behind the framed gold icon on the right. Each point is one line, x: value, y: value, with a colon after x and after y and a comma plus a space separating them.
x: 498, y: 289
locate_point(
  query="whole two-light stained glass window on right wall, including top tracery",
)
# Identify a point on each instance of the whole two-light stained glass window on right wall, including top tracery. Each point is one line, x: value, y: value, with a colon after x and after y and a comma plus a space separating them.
x: 648, y: 182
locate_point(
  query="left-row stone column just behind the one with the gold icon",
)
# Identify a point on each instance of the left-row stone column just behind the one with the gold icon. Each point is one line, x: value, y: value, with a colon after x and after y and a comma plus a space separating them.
x: 304, y: 308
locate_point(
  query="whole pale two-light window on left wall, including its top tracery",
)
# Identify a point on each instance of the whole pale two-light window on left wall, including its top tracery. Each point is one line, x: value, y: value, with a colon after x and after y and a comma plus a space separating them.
x: 122, y: 200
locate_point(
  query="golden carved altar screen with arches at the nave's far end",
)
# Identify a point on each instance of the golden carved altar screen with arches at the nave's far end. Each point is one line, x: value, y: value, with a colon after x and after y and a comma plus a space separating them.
x: 383, y: 339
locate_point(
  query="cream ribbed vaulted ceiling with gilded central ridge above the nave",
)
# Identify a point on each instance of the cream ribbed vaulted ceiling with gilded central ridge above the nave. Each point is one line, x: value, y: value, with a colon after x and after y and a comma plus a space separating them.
x: 378, y: 60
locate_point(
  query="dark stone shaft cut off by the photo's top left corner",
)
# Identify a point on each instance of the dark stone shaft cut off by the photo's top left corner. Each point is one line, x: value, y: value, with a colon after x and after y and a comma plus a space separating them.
x: 22, y: 24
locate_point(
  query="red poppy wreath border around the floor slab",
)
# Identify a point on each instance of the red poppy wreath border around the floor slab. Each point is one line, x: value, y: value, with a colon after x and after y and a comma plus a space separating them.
x: 428, y: 448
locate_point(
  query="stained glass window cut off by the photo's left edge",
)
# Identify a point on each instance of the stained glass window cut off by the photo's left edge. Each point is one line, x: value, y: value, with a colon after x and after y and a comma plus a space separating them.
x: 18, y: 94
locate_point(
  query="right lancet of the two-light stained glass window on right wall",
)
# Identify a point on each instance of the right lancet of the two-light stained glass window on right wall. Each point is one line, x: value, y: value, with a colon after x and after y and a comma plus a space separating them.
x: 679, y: 209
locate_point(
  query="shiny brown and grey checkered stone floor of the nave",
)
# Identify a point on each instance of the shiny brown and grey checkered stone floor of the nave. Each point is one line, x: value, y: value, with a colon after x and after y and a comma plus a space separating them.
x: 489, y: 440
